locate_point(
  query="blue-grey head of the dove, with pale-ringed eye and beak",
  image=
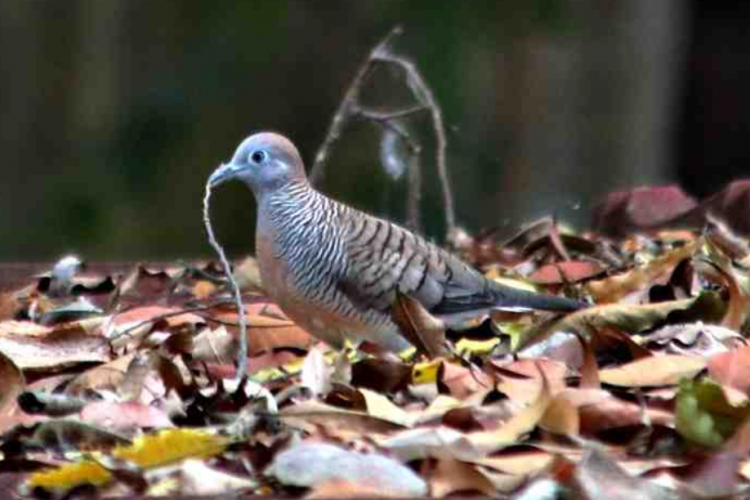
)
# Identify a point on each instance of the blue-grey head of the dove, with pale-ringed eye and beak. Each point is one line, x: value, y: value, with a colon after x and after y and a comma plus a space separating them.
x: 265, y: 162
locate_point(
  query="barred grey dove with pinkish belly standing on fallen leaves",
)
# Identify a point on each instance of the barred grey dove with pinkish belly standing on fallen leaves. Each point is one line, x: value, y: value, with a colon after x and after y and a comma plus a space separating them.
x: 335, y: 270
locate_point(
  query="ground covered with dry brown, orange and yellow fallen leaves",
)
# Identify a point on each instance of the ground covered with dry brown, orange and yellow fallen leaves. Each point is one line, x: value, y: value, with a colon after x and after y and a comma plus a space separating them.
x: 120, y: 381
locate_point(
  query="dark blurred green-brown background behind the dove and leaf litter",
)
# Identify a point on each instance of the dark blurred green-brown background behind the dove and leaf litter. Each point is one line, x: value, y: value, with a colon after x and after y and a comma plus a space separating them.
x: 115, y: 112
